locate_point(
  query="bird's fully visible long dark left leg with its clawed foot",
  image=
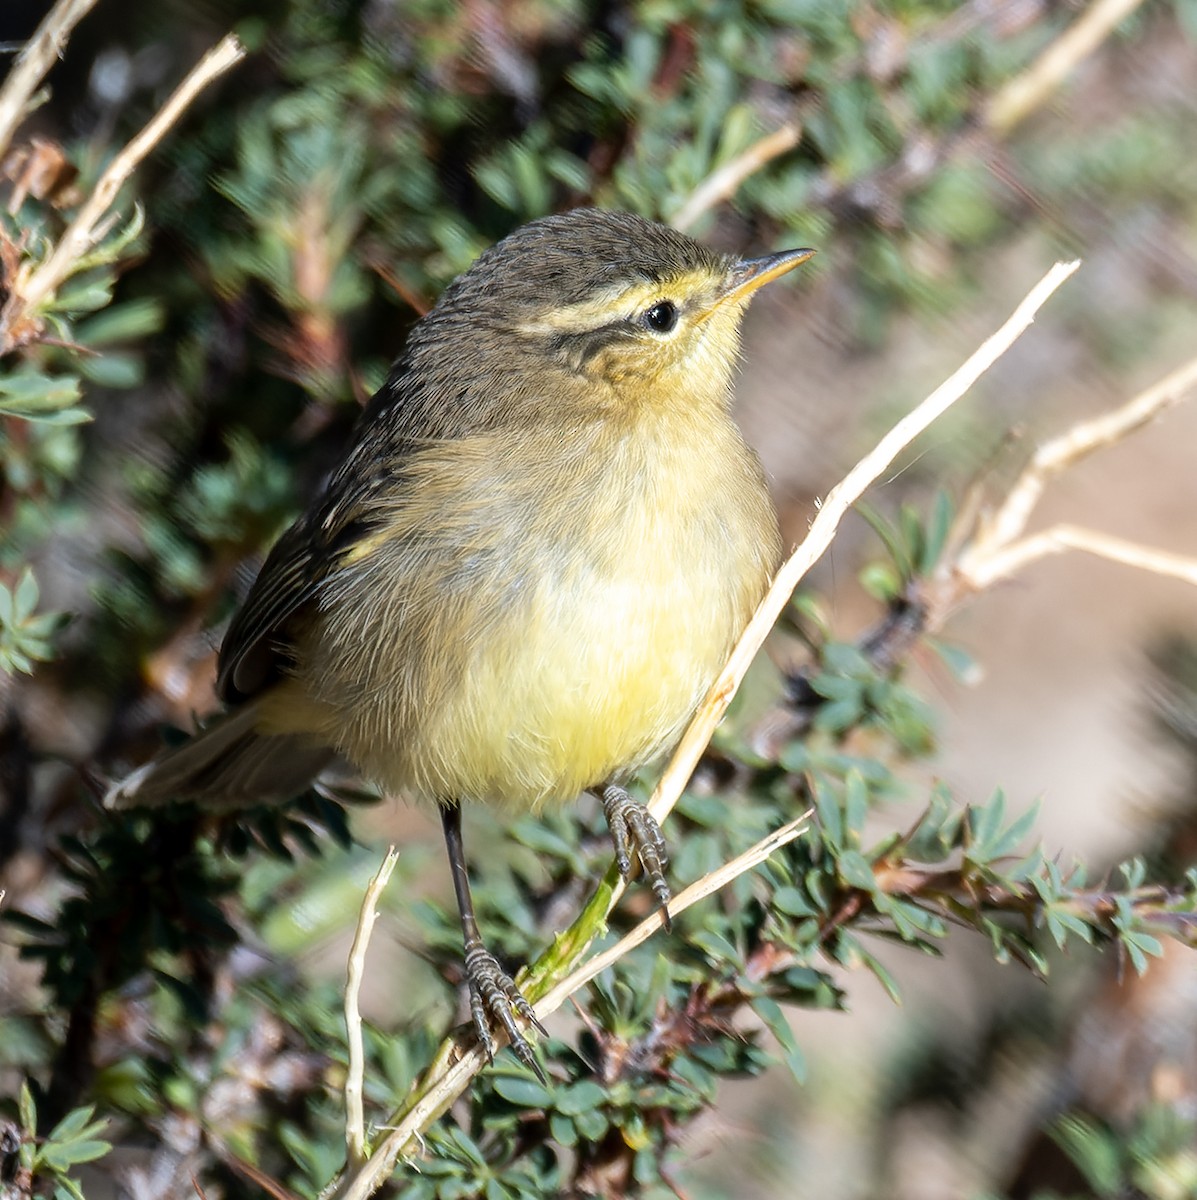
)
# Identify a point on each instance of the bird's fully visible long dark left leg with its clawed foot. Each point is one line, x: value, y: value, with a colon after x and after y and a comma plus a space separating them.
x: 494, y: 993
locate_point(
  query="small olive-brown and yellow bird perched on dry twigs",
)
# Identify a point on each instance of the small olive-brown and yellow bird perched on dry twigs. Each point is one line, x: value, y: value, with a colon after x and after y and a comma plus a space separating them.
x: 530, y: 567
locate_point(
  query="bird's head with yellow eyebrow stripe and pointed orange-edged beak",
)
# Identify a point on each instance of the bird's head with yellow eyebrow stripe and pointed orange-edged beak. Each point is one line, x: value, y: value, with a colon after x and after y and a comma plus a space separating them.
x: 609, y: 307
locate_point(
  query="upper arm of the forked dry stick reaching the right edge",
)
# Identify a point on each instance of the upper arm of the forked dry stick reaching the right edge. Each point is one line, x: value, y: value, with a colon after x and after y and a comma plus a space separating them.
x: 998, y: 532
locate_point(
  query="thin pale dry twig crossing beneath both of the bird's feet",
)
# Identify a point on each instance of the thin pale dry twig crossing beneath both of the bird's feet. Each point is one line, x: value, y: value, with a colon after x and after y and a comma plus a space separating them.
x: 458, y: 1078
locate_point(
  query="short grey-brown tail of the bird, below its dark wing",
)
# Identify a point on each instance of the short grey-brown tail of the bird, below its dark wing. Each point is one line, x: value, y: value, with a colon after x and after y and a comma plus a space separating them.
x: 226, y: 766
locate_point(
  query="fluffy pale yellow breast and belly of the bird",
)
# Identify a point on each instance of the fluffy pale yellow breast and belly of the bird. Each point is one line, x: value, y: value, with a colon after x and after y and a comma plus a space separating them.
x: 519, y: 651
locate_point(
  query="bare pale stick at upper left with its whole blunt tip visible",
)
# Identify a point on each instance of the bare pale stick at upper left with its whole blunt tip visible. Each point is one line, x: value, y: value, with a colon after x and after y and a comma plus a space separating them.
x: 80, y: 236
